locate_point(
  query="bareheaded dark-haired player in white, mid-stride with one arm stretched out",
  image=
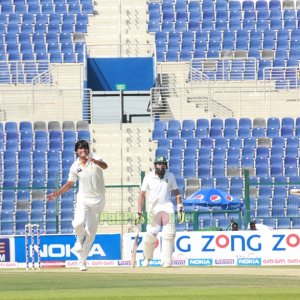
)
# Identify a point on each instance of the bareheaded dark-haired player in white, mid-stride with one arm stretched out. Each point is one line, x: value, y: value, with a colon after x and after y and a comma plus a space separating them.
x: 90, y: 198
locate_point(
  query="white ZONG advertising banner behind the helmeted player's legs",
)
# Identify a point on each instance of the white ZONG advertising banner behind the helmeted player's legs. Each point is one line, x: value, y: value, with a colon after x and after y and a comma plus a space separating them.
x: 223, y: 248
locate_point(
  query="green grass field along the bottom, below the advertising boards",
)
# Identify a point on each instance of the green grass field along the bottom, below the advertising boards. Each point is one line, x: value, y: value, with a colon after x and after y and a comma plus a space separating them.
x: 153, y: 283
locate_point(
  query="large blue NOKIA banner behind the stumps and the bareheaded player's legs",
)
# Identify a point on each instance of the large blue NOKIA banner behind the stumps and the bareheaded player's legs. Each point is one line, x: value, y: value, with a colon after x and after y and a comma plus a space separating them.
x: 61, y: 248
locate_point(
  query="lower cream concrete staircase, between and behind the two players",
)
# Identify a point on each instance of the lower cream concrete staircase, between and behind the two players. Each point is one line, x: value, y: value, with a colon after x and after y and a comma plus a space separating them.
x: 127, y: 153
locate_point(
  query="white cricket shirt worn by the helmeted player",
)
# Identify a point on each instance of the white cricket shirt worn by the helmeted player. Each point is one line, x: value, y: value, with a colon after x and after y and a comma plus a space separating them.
x: 159, y: 190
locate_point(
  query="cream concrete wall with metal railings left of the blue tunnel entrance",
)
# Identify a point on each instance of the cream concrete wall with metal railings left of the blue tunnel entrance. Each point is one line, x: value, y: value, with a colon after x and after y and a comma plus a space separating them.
x: 48, y: 96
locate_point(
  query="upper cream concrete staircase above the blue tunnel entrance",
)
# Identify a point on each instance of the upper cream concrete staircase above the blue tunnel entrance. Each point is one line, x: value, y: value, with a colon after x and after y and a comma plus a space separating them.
x: 118, y: 29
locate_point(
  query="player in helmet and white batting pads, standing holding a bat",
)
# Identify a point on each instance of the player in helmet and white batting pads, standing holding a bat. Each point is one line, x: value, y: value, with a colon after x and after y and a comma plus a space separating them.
x: 158, y: 186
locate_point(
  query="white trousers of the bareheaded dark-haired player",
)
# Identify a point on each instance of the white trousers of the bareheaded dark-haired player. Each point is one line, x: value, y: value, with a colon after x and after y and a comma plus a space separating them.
x: 85, y: 223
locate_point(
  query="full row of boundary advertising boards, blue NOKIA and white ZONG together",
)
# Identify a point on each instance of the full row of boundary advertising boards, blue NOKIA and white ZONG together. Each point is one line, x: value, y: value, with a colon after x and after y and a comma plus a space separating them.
x: 243, y: 248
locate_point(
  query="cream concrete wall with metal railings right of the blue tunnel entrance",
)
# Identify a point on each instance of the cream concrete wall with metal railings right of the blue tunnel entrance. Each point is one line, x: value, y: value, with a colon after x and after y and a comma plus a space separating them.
x: 182, y: 84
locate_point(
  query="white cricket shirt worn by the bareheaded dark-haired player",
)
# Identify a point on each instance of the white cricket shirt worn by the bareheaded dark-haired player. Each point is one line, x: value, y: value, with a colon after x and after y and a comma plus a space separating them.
x: 90, y: 176
